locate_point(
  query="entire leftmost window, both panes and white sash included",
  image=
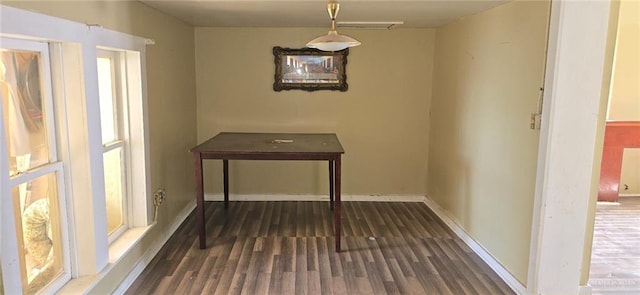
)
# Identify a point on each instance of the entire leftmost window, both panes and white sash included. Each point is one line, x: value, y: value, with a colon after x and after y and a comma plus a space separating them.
x: 35, y: 178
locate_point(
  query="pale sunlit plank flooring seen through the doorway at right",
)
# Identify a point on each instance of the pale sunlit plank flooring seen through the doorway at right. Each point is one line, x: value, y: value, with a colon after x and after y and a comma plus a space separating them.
x: 615, y: 255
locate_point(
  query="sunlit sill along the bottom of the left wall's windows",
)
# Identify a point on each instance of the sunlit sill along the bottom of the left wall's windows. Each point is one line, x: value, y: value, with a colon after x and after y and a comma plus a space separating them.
x: 117, y: 251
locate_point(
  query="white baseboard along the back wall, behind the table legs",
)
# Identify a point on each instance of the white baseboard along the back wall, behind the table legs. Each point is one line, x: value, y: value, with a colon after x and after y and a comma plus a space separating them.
x: 344, y: 198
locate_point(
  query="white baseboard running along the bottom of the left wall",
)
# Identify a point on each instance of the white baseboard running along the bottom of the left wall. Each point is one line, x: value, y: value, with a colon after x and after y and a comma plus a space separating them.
x: 153, y: 251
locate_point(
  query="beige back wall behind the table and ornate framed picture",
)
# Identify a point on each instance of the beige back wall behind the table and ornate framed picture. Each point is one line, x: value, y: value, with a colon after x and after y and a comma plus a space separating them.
x: 382, y: 120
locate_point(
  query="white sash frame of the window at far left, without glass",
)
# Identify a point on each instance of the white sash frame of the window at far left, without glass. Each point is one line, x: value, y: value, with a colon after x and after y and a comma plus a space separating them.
x: 12, y: 278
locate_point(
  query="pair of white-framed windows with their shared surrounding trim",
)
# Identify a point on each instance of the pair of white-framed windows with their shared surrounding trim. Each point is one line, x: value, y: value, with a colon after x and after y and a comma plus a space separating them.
x: 73, y: 142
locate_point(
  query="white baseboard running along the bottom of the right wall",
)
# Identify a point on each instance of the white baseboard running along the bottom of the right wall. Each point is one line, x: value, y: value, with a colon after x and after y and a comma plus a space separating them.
x: 509, y: 279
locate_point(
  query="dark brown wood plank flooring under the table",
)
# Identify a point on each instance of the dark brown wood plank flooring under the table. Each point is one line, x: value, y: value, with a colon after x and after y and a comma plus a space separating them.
x: 287, y: 248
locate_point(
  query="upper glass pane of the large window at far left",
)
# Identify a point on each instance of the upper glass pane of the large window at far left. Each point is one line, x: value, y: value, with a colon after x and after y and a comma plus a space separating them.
x: 23, y: 110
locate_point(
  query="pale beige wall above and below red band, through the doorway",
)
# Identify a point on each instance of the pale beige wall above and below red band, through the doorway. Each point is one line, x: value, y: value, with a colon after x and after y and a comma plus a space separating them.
x: 624, y: 102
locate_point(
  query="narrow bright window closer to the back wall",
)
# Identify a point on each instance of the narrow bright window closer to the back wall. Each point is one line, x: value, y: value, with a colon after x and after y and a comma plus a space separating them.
x: 114, y: 139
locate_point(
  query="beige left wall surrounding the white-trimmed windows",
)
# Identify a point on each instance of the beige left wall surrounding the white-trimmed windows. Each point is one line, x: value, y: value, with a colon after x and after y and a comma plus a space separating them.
x: 171, y: 101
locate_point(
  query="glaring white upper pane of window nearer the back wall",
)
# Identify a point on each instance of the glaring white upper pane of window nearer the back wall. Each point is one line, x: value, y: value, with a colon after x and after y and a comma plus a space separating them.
x: 107, y: 100
